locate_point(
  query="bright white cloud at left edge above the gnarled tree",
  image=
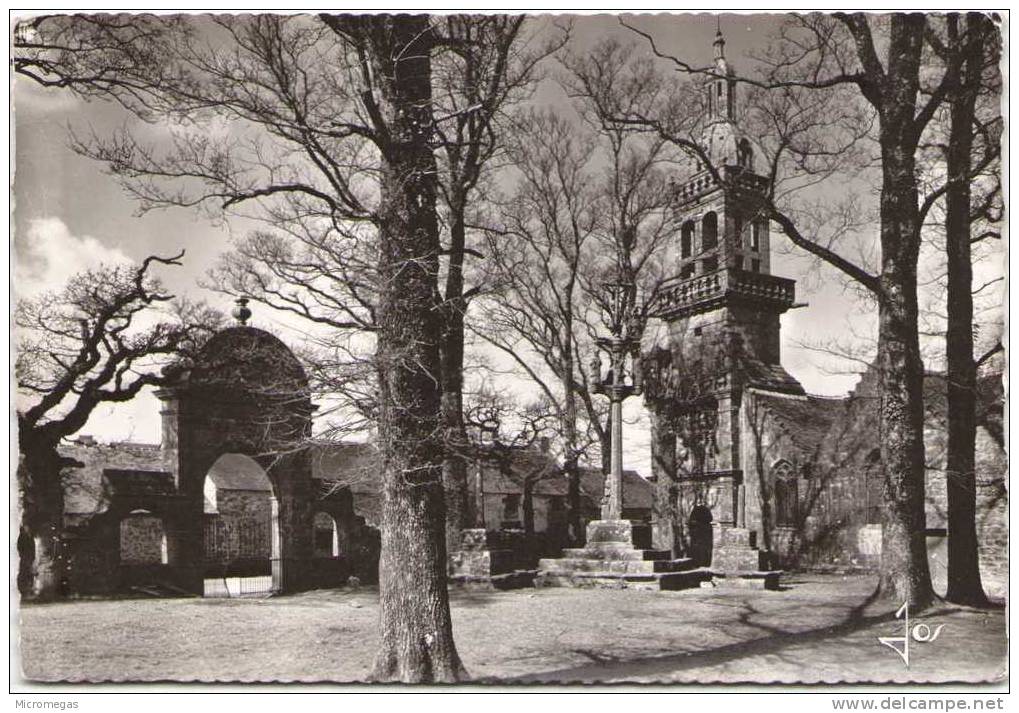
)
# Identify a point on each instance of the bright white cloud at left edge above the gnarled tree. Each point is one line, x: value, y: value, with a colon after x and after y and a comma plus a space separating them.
x: 49, y: 255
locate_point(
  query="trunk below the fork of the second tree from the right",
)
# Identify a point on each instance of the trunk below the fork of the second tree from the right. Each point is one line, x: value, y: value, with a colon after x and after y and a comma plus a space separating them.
x: 905, y: 573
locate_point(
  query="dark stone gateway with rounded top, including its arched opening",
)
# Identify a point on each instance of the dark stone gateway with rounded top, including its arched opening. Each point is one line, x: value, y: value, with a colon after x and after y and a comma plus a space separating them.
x: 236, y: 421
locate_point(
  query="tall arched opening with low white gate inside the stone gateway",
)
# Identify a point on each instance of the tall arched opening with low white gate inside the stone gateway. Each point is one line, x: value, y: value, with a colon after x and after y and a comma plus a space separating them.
x: 242, y: 536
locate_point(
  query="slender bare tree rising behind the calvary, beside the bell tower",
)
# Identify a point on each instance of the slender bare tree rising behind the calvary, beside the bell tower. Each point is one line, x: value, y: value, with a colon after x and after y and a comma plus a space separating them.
x: 636, y: 223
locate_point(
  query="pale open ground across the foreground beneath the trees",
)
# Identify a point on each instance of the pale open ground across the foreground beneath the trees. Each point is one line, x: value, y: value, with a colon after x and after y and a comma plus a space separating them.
x: 817, y: 629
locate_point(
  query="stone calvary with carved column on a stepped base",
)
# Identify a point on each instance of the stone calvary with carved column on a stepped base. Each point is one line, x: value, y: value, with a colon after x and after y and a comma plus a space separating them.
x: 618, y: 554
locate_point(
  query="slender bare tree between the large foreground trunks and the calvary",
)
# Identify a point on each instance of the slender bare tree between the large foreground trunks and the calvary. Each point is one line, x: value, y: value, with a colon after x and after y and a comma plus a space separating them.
x: 537, y: 251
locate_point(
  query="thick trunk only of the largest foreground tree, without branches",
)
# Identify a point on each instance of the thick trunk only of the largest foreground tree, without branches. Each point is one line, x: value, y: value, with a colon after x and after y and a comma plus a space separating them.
x: 417, y: 644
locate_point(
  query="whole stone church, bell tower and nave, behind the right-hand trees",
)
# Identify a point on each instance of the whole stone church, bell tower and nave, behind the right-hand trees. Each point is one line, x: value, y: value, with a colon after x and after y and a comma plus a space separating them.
x: 752, y: 472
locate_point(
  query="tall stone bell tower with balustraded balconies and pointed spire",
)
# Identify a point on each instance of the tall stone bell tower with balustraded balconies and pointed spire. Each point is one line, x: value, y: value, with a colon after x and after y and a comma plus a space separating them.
x: 722, y: 310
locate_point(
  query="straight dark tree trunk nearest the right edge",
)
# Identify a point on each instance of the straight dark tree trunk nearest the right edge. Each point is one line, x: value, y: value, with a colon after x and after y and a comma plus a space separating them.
x: 964, y: 586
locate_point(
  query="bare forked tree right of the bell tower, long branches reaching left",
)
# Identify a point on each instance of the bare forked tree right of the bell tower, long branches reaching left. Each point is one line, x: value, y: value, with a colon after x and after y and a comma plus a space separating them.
x: 880, y: 60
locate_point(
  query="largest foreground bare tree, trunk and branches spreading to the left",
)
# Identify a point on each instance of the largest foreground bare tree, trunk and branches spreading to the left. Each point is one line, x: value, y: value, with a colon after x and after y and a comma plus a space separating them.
x: 329, y: 120
